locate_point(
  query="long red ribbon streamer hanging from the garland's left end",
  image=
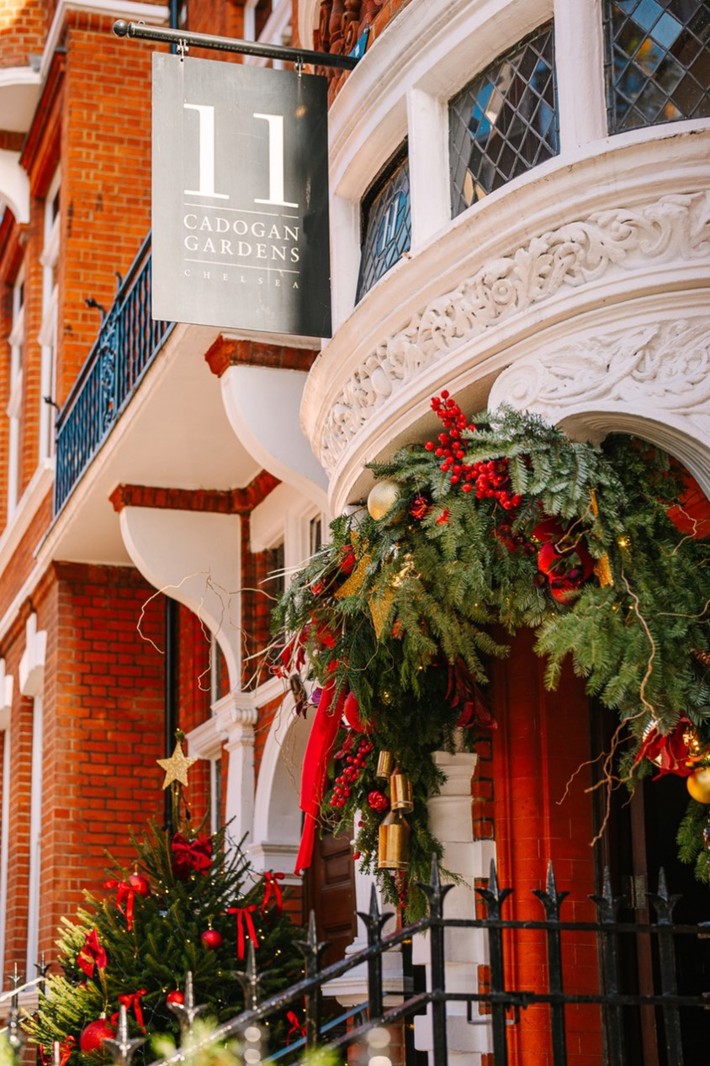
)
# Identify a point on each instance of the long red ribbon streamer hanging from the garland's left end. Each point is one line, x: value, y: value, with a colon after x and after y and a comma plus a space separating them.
x: 316, y: 761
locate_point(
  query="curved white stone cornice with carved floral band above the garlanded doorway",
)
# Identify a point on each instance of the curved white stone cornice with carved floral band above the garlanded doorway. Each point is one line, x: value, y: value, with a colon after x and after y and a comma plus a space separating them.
x: 368, y: 381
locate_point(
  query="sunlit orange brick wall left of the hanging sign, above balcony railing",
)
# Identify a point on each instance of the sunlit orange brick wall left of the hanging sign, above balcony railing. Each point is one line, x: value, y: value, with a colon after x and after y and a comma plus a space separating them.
x: 106, y: 179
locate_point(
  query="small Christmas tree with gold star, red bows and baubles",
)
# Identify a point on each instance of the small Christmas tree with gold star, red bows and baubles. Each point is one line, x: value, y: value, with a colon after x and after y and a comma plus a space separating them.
x: 190, y: 905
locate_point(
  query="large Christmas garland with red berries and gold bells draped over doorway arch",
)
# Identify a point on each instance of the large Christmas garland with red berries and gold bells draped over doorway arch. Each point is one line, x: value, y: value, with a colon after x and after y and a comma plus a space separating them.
x: 502, y: 522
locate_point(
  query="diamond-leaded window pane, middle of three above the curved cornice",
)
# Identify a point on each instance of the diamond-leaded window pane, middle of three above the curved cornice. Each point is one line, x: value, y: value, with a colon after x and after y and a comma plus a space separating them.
x: 505, y: 122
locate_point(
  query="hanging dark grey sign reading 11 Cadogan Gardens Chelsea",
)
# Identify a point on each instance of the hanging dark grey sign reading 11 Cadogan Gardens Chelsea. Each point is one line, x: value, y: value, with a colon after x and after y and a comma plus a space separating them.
x: 240, y: 198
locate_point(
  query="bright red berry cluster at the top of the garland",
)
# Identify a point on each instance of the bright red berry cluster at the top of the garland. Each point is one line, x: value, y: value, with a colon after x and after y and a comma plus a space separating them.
x: 489, y: 480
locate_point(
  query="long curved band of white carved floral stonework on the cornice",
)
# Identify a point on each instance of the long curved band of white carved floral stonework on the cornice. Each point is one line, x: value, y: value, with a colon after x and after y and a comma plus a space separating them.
x: 675, y: 228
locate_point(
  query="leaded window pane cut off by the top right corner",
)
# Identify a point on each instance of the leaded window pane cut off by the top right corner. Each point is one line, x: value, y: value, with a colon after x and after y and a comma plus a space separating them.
x: 658, y: 61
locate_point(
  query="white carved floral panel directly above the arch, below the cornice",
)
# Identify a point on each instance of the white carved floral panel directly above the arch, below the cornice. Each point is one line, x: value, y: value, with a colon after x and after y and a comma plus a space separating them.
x: 666, y: 366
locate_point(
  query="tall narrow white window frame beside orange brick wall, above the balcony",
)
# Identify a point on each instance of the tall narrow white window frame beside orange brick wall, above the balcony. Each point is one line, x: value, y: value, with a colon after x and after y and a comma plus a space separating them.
x: 50, y: 261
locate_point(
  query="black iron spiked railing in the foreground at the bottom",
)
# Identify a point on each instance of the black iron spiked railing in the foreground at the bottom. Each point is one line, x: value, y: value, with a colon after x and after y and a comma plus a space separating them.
x: 503, y: 1009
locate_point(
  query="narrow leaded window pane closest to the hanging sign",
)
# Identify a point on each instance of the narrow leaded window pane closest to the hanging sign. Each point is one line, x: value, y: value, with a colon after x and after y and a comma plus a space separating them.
x: 386, y: 223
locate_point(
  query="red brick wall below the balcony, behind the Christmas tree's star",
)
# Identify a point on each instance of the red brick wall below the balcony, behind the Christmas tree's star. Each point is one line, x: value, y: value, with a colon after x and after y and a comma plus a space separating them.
x: 104, y: 728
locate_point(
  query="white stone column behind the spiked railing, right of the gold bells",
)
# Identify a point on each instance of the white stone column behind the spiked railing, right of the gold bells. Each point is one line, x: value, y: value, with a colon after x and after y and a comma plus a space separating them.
x: 451, y: 822
